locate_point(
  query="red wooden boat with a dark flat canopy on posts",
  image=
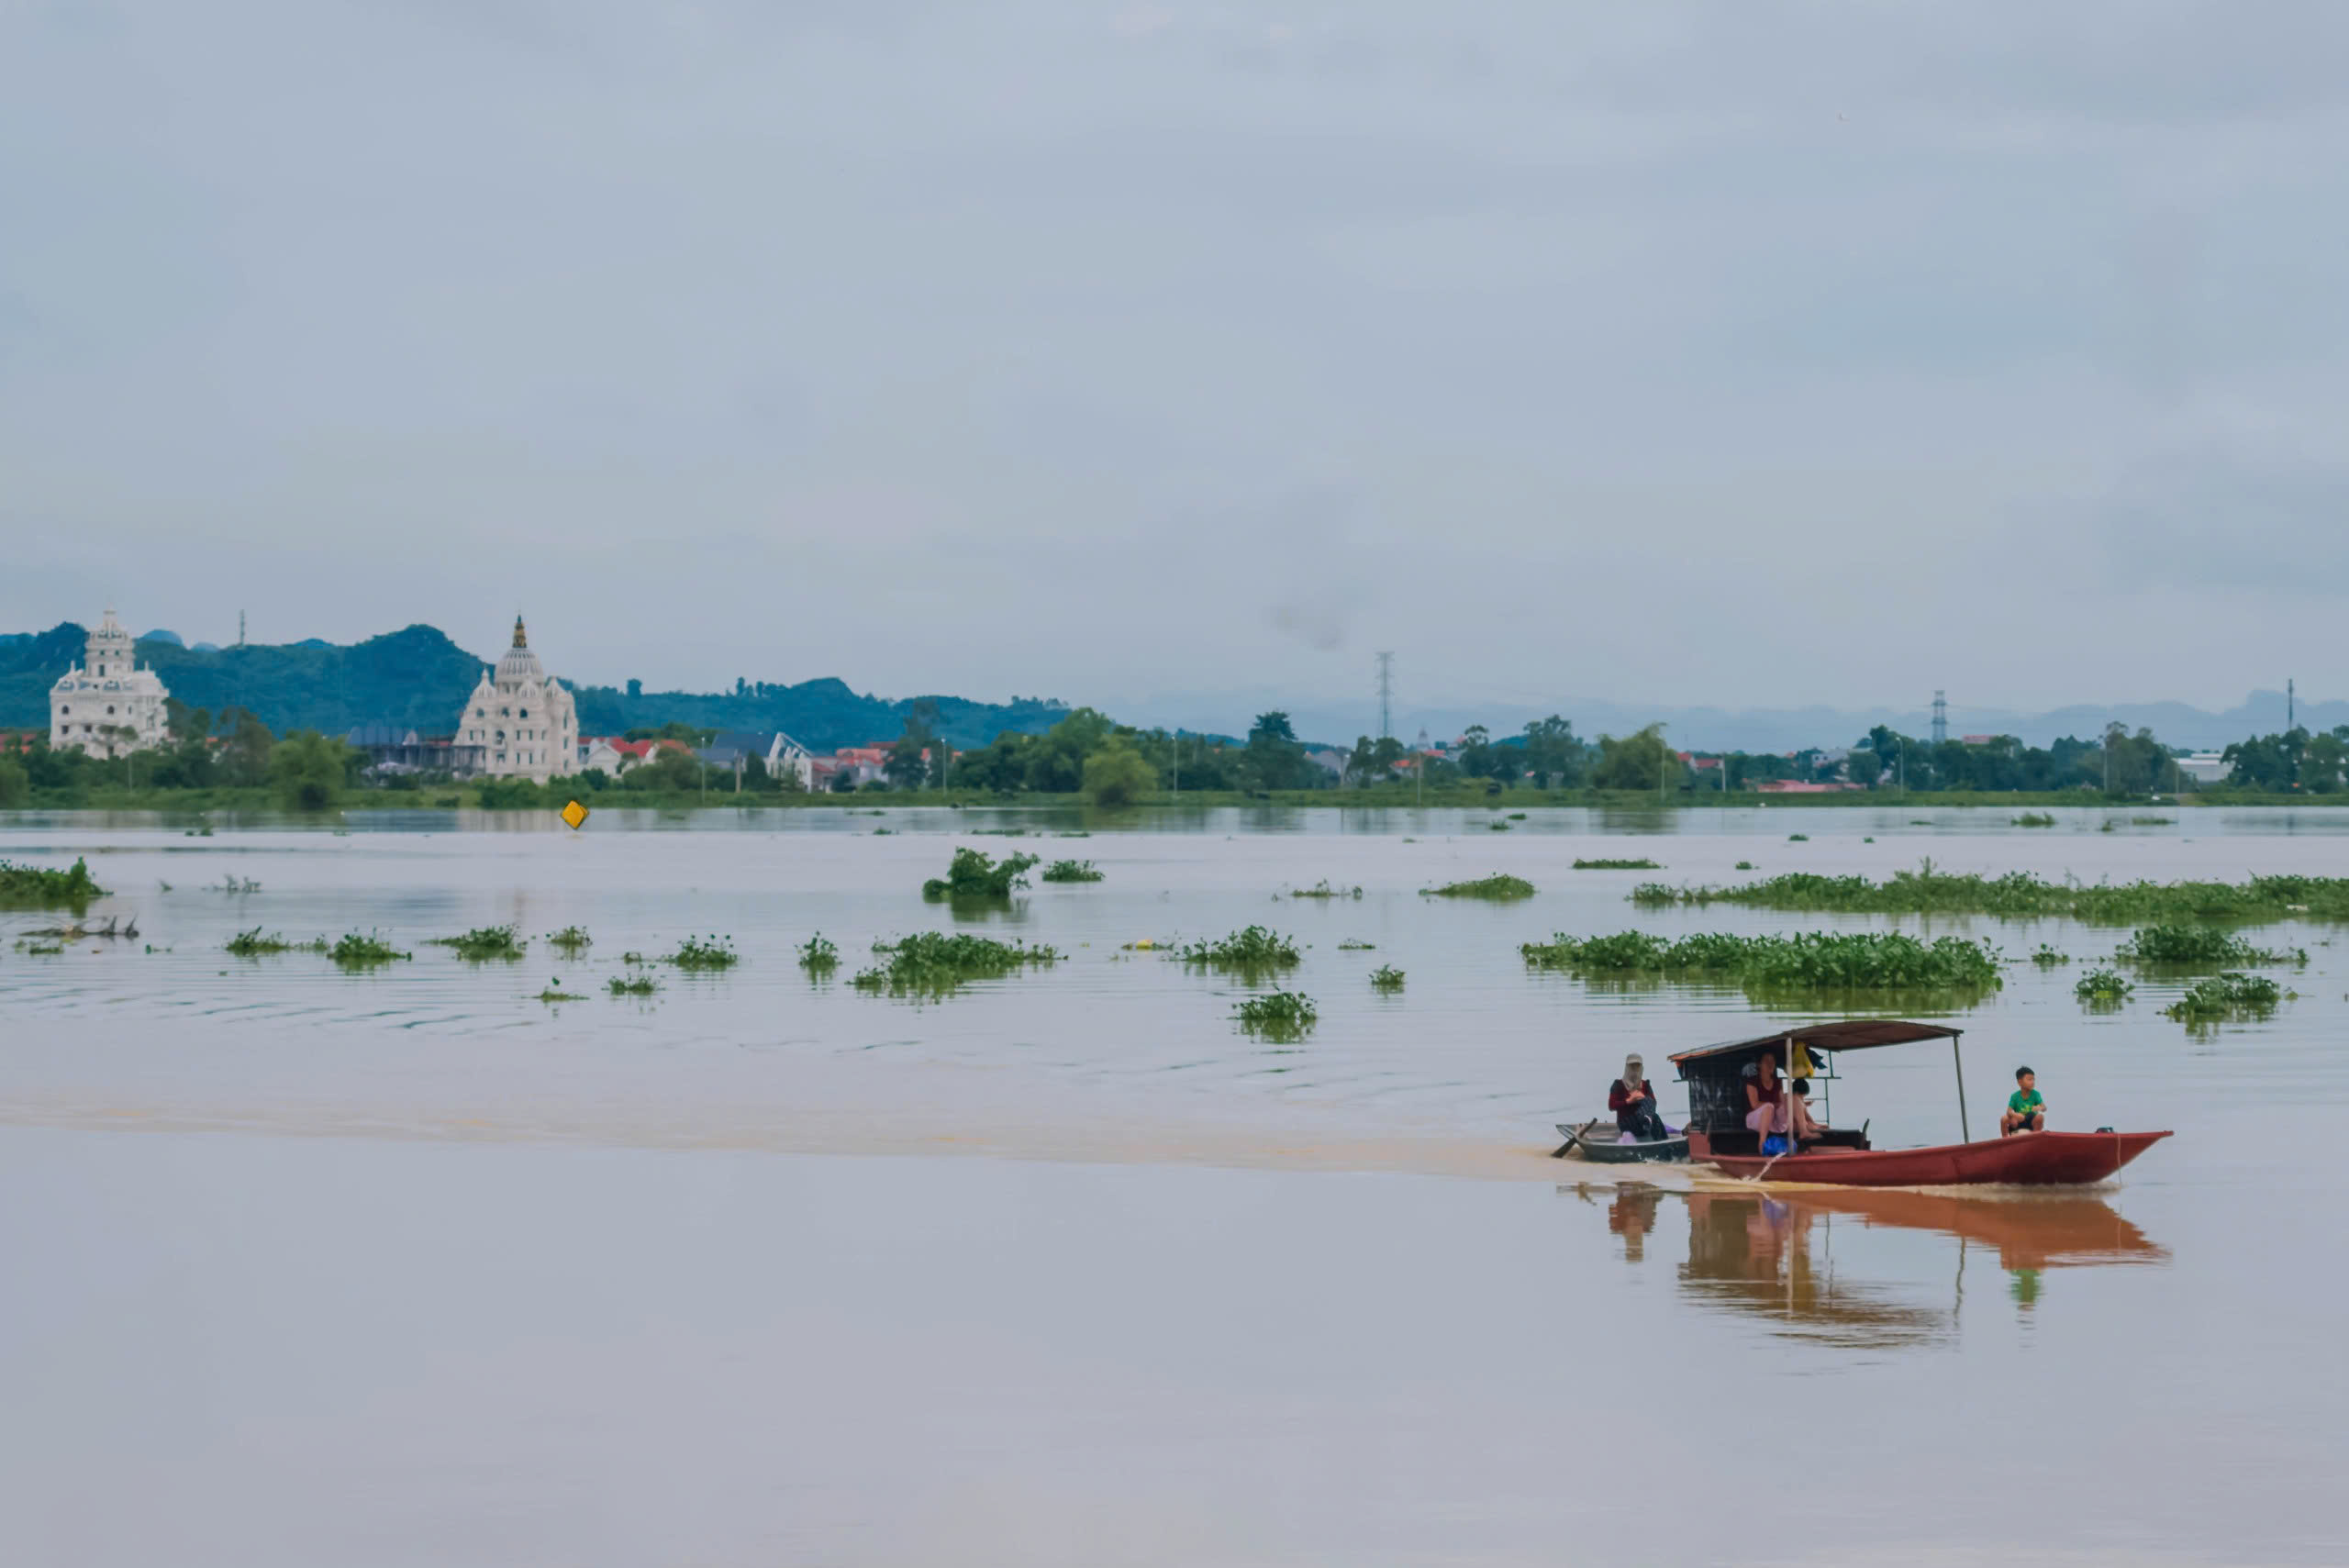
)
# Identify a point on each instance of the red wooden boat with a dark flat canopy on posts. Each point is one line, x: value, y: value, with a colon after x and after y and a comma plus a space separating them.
x: 1718, y: 1130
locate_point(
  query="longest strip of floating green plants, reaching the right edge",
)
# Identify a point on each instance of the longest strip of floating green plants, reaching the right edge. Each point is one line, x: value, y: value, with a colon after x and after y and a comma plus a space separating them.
x: 2026, y: 895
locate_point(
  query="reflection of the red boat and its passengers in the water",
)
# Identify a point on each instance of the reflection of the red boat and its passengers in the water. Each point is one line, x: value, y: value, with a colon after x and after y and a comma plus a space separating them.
x: 1777, y: 1257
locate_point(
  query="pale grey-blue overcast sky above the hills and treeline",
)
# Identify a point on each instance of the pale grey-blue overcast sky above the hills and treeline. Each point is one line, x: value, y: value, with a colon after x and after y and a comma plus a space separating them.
x: 1688, y: 353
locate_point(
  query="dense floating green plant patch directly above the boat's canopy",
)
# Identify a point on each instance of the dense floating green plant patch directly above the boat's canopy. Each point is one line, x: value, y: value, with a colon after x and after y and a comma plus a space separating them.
x: 1824, y: 961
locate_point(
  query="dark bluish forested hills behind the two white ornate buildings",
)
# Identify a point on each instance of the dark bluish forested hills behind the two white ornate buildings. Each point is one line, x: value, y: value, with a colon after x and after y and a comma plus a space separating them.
x: 419, y: 680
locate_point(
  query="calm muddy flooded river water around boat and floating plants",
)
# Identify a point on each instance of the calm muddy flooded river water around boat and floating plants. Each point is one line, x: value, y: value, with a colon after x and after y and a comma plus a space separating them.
x: 415, y: 1266
